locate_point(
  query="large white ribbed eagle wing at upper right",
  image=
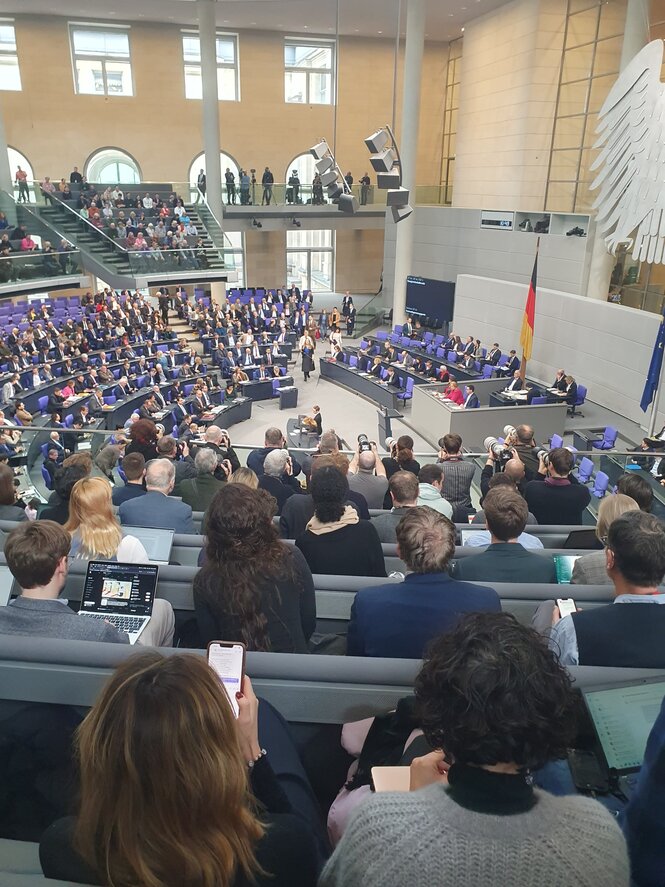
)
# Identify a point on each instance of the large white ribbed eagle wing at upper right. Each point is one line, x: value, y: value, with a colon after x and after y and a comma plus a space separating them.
x: 631, y: 181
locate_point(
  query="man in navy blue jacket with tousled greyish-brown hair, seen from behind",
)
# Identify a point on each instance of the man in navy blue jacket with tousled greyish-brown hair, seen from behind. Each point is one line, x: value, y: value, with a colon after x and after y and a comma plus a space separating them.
x: 397, y: 620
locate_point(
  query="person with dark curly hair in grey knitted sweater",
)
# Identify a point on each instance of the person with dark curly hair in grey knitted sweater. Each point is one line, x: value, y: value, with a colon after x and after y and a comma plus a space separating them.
x: 500, y: 705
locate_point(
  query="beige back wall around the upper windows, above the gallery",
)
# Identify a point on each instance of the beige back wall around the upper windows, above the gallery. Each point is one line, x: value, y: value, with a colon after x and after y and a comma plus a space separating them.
x: 56, y: 129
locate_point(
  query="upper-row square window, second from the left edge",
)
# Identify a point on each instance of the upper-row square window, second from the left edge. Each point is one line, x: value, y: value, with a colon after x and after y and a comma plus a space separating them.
x: 102, y: 64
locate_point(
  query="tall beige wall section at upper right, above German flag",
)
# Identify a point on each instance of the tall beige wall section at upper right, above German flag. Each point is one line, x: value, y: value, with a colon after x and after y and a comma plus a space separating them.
x: 510, y: 71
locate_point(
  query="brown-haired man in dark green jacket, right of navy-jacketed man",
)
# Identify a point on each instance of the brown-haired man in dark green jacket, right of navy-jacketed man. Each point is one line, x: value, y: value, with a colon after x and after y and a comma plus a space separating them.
x: 505, y: 559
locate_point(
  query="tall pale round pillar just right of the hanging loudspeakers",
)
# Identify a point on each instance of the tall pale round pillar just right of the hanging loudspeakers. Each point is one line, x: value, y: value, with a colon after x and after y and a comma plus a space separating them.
x: 408, y: 144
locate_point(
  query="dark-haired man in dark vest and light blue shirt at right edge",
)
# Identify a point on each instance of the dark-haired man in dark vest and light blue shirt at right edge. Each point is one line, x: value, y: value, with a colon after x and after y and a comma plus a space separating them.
x: 629, y: 635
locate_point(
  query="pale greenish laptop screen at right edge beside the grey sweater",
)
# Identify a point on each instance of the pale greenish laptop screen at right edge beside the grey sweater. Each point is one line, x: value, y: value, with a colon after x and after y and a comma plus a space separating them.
x: 623, y: 717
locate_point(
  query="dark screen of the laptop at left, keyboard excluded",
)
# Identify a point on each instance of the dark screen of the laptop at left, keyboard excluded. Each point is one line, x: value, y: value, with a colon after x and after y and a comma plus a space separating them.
x: 125, y: 589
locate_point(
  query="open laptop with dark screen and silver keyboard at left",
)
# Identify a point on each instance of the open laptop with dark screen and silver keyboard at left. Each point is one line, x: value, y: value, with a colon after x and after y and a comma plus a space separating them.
x: 122, y: 594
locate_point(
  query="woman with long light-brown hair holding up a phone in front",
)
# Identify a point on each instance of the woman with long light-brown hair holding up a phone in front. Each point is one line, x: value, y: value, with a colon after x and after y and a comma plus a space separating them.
x: 206, y: 806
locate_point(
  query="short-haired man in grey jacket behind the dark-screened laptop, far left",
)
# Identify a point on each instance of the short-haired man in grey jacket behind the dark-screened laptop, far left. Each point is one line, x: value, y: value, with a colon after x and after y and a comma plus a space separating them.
x: 37, y: 556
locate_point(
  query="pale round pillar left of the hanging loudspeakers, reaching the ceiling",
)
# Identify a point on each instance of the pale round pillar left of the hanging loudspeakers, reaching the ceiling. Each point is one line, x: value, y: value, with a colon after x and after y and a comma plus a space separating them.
x: 210, y: 103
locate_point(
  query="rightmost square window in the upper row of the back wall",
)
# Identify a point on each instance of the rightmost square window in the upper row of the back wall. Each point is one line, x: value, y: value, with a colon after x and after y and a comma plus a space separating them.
x: 308, y: 71
